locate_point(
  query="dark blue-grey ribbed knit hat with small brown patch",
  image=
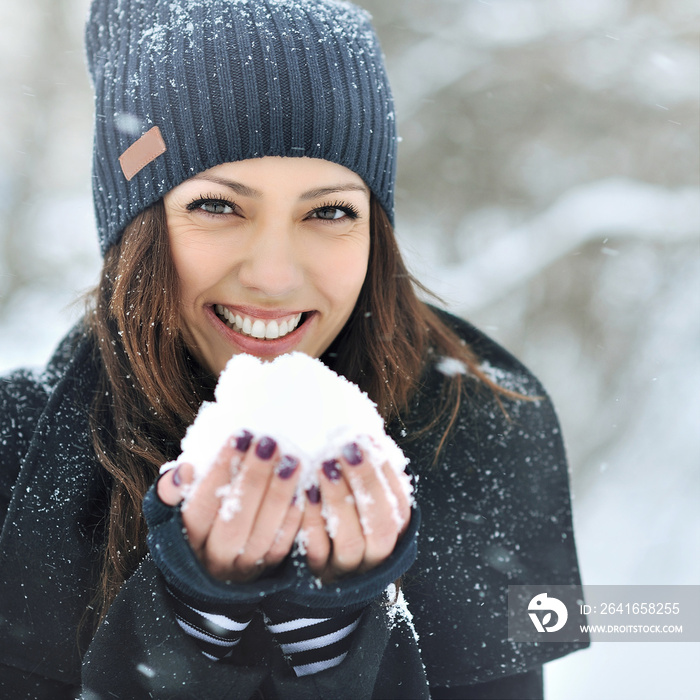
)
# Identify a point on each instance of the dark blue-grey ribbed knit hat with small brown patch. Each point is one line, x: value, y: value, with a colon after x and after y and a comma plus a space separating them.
x: 184, y: 85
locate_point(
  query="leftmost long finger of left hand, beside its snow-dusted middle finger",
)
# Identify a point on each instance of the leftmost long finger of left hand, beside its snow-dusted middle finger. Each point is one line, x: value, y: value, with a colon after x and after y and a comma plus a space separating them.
x: 202, y: 505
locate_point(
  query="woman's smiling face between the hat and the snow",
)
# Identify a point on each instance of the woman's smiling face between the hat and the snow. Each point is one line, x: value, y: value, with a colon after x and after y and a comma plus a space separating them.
x: 271, y: 255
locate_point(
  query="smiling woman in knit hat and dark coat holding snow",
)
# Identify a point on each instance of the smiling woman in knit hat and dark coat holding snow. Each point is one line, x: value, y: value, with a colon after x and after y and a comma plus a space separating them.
x: 243, y: 179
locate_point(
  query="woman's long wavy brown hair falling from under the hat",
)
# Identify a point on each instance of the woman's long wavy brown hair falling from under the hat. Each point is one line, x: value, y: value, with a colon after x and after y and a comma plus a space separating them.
x: 150, y: 386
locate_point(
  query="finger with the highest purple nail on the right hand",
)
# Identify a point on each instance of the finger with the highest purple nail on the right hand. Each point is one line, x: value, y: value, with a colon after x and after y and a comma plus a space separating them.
x: 376, y: 504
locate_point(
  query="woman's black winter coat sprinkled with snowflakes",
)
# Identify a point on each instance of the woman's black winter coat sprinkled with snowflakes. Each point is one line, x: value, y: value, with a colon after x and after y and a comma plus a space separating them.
x: 495, y: 512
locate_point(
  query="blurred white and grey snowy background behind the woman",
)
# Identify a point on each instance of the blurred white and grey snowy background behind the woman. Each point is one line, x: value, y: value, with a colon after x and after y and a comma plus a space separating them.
x: 548, y: 191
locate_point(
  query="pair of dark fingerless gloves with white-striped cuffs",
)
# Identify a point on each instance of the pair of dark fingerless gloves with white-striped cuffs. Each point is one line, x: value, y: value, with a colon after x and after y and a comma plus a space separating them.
x: 312, y: 622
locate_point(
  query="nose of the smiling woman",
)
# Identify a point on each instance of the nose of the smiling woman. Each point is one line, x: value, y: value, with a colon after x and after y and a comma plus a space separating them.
x: 271, y: 265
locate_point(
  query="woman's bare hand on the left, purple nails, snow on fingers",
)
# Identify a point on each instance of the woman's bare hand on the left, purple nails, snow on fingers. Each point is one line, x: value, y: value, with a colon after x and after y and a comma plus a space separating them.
x: 240, y: 519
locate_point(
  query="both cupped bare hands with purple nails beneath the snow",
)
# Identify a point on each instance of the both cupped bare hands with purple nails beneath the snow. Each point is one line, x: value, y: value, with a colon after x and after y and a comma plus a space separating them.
x: 244, y: 515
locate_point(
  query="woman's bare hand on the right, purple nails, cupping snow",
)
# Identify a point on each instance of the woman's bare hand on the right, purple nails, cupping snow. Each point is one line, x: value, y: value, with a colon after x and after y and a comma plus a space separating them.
x: 353, y: 523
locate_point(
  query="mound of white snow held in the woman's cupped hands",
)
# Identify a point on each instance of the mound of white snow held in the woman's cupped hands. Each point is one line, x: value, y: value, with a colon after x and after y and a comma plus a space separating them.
x: 310, y: 411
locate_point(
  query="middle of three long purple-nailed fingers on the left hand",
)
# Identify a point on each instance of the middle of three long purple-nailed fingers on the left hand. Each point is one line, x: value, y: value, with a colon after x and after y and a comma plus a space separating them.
x: 239, y: 507
